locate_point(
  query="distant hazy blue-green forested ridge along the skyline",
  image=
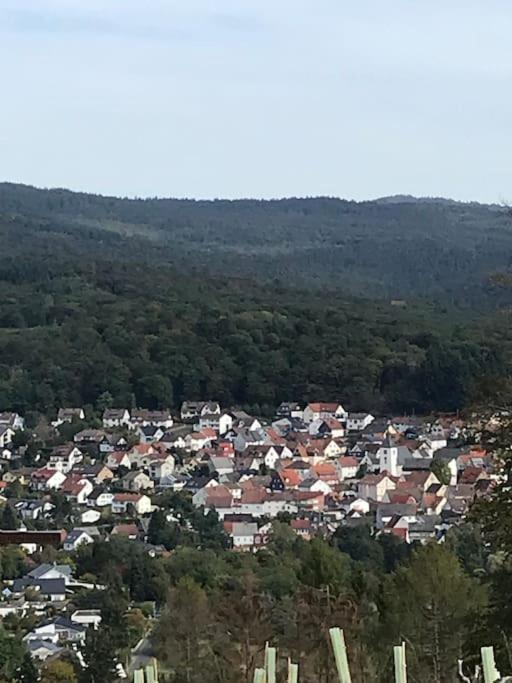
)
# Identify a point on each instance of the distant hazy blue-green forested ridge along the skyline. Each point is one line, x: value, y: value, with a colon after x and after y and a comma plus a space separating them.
x: 395, y: 247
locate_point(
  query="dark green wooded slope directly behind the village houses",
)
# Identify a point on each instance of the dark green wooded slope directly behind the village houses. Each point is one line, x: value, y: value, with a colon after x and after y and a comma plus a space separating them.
x: 78, y: 322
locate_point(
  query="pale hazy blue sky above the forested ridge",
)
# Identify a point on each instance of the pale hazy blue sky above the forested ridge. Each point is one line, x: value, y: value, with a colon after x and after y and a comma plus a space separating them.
x: 211, y: 98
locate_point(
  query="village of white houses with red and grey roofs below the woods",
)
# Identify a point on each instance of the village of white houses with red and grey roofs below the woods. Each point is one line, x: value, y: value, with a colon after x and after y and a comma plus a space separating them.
x: 314, y: 467
